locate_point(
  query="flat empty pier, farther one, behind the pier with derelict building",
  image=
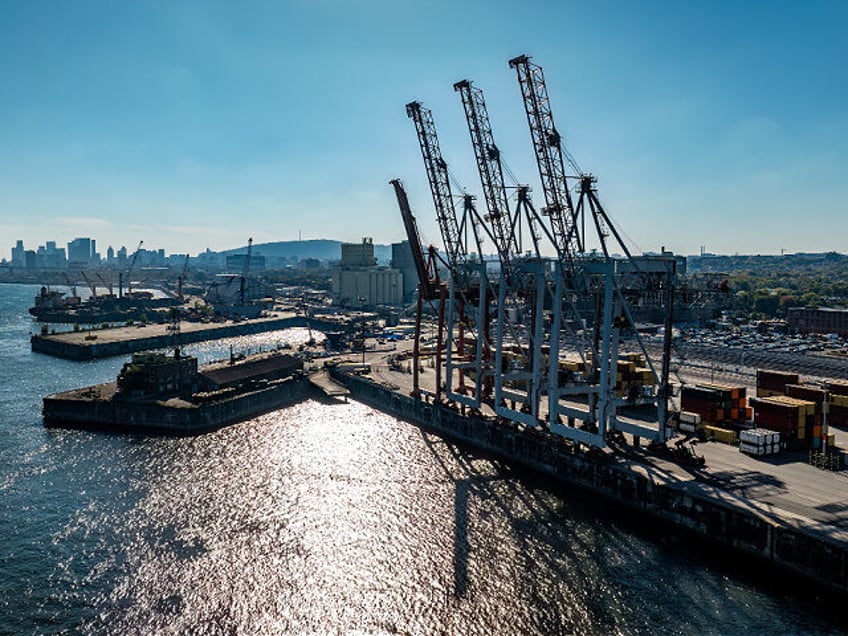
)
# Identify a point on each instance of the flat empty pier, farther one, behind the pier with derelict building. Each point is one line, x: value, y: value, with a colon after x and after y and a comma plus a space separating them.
x: 104, y: 343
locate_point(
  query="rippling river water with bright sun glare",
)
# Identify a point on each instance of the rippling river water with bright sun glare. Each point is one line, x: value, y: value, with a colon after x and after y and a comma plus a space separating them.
x: 324, y: 518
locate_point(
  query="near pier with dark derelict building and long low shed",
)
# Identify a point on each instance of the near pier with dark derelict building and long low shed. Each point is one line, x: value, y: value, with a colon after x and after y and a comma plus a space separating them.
x: 170, y: 393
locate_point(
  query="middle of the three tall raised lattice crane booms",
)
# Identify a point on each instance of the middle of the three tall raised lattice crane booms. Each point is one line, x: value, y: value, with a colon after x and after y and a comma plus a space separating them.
x: 490, y: 169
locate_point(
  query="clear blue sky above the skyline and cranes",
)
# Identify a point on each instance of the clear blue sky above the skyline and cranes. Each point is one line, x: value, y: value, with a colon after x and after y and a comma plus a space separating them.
x: 195, y: 124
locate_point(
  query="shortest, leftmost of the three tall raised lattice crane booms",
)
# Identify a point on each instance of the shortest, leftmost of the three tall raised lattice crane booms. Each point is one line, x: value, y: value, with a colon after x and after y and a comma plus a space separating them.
x: 437, y: 174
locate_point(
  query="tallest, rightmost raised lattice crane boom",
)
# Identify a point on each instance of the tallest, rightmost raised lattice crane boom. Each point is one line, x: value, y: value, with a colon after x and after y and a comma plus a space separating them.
x: 547, y: 144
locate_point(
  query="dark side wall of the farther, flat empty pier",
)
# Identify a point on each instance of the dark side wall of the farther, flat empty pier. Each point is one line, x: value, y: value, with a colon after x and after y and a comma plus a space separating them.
x: 56, y: 345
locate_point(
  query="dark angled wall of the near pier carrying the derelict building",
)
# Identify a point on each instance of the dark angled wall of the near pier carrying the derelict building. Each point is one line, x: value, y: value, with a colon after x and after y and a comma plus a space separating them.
x: 155, y: 417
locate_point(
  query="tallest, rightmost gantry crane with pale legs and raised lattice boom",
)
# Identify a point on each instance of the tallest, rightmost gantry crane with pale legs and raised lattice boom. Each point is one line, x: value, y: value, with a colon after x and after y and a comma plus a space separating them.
x: 612, y: 312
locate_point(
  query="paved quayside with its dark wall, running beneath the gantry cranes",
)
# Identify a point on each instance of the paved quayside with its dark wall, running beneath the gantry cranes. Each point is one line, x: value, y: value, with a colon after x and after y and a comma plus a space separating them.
x: 778, y: 509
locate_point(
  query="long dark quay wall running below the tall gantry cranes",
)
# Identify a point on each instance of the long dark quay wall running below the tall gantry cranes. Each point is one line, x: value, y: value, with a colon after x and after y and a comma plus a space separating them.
x: 695, y: 506
